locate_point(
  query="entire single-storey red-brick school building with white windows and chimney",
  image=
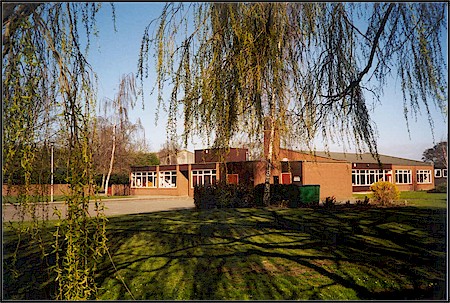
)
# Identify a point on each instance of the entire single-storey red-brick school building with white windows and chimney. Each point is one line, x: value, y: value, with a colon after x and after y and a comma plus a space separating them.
x: 337, y: 174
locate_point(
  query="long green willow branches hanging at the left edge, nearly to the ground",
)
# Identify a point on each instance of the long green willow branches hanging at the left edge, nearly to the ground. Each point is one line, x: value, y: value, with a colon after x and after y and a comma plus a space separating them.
x: 49, y: 88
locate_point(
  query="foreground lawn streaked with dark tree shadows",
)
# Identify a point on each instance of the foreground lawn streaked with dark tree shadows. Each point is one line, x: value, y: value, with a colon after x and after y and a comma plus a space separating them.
x: 263, y: 254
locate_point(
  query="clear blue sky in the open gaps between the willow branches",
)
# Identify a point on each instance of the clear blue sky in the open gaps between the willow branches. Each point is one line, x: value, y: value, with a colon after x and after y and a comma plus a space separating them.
x: 114, y: 54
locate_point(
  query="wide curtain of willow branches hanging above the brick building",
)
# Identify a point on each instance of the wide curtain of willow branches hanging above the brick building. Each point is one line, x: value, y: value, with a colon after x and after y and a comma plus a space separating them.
x: 312, y: 62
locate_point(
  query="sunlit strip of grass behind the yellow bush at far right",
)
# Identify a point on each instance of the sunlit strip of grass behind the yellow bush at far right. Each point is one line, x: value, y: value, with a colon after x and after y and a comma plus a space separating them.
x: 417, y: 198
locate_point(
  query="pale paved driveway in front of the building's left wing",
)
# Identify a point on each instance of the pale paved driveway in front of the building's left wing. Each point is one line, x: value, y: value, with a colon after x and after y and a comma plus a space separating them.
x: 114, y: 207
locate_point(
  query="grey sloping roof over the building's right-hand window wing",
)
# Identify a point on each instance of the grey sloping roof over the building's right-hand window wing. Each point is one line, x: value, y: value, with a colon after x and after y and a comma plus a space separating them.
x: 368, y: 158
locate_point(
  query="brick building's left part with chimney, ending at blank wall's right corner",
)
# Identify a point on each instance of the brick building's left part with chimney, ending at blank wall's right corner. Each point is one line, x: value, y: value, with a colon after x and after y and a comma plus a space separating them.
x: 233, y: 166
